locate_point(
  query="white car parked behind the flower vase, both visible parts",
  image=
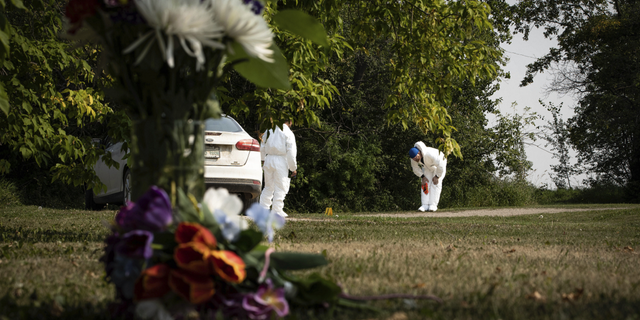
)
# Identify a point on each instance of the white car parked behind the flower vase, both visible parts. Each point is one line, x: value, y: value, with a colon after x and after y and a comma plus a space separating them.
x: 231, y: 161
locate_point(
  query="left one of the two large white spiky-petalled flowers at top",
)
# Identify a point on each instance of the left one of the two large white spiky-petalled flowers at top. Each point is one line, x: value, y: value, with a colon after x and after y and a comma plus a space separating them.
x: 191, y: 21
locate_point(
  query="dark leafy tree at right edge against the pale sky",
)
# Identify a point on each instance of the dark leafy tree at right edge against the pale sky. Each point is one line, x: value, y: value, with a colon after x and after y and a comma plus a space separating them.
x: 597, y: 59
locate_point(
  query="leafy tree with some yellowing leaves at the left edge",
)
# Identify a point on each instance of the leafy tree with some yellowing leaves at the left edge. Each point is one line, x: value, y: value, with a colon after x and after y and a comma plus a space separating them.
x: 48, y: 100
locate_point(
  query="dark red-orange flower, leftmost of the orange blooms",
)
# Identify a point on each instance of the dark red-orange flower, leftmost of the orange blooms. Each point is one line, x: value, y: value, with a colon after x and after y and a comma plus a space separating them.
x: 152, y: 283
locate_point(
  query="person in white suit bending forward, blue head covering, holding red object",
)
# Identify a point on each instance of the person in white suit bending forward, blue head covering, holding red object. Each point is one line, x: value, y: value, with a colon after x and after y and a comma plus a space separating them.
x: 431, y: 166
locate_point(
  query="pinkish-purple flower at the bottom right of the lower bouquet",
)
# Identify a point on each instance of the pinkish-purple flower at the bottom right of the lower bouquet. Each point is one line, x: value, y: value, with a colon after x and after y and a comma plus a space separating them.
x: 265, y: 300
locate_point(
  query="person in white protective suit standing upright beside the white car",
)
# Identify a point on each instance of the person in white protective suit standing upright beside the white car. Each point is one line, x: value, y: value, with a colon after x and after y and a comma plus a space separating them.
x: 278, y: 152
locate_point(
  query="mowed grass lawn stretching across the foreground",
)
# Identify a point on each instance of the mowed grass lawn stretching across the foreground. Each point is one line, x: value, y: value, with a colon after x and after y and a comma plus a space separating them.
x: 566, y: 265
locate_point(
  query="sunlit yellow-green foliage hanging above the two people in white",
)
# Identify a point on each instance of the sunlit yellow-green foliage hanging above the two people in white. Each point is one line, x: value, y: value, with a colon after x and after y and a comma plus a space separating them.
x: 429, y: 48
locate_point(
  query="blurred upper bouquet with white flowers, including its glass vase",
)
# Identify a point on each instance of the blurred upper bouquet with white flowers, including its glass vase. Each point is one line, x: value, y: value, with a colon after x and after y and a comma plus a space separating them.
x: 165, y: 59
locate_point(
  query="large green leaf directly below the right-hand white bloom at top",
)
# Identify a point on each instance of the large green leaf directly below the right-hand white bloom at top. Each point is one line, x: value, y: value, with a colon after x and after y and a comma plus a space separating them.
x: 262, y: 73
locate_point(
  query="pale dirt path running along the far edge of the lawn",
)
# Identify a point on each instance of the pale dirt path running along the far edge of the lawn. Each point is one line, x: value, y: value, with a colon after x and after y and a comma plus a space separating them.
x: 503, y: 212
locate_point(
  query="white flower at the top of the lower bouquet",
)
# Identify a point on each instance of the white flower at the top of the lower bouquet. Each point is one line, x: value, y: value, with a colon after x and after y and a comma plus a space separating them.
x: 226, y: 210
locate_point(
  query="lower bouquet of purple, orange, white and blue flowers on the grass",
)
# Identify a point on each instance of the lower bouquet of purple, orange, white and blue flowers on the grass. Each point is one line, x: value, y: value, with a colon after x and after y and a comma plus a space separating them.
x: 206, y: 259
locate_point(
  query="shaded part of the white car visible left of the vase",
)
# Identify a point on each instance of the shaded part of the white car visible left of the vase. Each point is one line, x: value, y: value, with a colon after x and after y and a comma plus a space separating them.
x: 118, y: 181
